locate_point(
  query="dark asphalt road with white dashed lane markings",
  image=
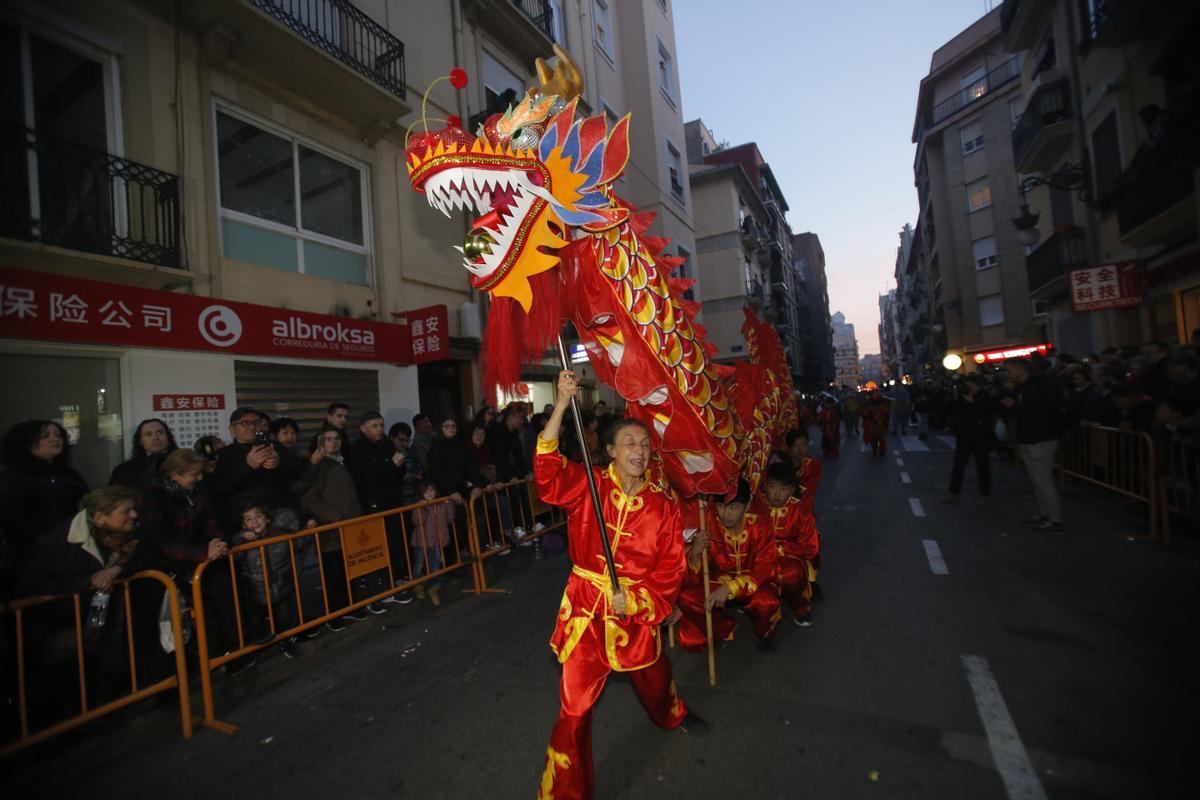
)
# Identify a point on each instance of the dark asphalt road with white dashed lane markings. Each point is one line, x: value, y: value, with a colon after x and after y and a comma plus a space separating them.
x: 1021, y: 665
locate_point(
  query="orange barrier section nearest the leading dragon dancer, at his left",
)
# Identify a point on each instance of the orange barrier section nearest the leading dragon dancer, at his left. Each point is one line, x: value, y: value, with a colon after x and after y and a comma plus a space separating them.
x: 526, y: 510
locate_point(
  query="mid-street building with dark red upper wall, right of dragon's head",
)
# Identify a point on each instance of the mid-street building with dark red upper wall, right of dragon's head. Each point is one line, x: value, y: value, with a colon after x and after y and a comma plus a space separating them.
x: 745, y: 246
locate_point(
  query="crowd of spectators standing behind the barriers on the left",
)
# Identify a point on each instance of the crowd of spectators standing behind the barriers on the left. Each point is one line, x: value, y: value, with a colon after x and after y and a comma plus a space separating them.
x: 175, y: 508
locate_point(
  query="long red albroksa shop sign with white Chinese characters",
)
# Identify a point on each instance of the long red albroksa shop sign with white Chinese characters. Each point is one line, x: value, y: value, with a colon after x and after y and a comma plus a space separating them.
x: 45, y: 306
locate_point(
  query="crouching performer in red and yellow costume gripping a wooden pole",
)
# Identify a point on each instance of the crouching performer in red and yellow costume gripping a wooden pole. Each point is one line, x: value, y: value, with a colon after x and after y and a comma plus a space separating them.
x: 743, y: 572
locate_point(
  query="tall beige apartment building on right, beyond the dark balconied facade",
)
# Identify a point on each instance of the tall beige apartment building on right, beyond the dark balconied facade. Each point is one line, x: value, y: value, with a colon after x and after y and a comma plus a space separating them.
x: 968, y: 191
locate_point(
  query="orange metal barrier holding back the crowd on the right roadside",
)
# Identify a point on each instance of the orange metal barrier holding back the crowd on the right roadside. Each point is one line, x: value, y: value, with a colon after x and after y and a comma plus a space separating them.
x: 1119, y: 461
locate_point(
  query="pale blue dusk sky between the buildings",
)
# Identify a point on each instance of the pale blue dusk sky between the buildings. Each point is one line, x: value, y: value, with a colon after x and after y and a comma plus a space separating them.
x: 829, y: 92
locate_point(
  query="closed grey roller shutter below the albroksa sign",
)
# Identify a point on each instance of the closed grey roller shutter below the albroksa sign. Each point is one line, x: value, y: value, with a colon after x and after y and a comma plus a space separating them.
x: 304, y: 393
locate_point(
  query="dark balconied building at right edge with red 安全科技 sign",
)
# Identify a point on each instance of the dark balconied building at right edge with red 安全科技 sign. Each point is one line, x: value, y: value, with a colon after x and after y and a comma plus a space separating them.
x: 1107, y: 148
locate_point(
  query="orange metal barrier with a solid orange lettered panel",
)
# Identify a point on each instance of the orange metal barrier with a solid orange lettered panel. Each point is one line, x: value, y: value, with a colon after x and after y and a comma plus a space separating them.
x: 368, y: 546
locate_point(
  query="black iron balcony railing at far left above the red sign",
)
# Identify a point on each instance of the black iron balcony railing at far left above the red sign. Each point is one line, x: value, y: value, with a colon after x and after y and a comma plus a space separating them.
x: 61, y: 194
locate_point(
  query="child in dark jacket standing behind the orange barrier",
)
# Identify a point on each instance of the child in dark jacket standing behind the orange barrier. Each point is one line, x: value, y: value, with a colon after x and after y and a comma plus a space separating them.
x: 278, y: 586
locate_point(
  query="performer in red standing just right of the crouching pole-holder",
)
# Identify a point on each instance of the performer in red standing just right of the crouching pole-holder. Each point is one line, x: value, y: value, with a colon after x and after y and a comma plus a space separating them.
x: 787, y: 513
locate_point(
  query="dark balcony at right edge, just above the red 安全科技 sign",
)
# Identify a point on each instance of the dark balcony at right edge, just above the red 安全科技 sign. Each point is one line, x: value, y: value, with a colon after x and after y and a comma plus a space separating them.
x: 1155, y: 199
